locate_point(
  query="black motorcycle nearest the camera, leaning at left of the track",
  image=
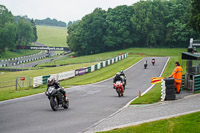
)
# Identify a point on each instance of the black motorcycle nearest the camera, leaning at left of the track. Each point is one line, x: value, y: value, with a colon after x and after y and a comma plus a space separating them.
x: 56, y: 98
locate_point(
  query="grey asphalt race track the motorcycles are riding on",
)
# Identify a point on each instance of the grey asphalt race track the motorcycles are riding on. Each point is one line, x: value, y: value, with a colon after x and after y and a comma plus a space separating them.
x: 88, y: 104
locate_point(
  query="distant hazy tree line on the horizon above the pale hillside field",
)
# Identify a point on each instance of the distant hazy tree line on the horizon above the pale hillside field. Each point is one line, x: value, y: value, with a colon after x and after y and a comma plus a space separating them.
x: 50, y: 22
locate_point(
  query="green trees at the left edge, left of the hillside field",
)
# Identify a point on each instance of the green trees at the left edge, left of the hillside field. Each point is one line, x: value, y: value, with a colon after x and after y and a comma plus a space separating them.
x: 15, y: 31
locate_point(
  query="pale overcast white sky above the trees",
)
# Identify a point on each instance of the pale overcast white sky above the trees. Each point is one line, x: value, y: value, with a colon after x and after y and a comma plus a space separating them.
x: 62, y: 10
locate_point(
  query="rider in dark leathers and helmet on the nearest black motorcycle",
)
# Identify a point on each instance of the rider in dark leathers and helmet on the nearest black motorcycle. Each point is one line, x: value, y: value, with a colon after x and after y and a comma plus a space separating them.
x: 52, y: 82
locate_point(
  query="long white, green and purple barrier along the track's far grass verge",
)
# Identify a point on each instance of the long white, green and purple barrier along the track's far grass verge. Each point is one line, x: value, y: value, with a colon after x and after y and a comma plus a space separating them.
x: 65, y: 75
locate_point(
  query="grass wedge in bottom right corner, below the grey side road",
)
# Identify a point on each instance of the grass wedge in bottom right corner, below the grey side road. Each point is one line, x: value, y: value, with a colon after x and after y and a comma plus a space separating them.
x: 181, y: 124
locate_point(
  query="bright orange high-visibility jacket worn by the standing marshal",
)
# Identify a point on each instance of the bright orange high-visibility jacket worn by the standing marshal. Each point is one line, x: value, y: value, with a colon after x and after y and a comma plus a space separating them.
x: 177, y: 74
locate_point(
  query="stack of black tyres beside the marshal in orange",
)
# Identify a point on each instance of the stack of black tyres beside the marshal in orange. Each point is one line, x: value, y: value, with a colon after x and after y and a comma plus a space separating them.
x: 170, y: 89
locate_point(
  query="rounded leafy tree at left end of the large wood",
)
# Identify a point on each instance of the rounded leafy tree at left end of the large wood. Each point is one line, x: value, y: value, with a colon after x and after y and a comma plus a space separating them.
x: 86, y: 37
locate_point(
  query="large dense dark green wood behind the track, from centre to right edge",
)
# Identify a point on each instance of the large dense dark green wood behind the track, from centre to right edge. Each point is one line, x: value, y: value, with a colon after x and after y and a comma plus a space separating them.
x: 151, y: 23
